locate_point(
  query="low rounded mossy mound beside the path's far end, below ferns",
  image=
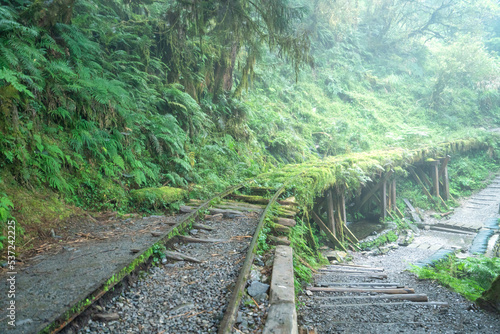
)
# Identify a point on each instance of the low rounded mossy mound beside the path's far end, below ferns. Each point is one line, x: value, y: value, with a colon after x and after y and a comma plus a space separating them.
x: 154, y: 198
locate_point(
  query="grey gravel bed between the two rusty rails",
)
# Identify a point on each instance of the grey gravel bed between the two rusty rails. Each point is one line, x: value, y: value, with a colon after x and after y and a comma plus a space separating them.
x: 182, y: 297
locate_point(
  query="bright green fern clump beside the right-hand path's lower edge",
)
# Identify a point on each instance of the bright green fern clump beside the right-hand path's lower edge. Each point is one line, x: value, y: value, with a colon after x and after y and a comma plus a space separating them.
x: 469, y: 277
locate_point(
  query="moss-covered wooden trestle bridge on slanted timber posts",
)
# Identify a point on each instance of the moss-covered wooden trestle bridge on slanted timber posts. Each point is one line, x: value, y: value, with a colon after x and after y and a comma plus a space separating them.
x: 367, y: 183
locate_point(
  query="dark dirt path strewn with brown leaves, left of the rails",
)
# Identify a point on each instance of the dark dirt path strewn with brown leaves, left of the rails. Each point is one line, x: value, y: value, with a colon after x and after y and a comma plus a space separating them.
x: 66, y: 272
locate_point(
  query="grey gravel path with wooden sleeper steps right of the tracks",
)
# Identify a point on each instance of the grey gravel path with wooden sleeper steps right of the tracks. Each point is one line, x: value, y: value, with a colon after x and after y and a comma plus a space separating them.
x: 328, y: 313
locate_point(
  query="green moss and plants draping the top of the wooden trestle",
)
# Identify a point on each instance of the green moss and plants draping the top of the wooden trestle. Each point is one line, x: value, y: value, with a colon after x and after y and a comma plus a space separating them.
x: 350, y: 171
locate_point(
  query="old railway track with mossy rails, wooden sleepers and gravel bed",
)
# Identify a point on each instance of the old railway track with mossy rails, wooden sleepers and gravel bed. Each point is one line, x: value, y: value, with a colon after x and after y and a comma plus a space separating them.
x: 201, y: 284
